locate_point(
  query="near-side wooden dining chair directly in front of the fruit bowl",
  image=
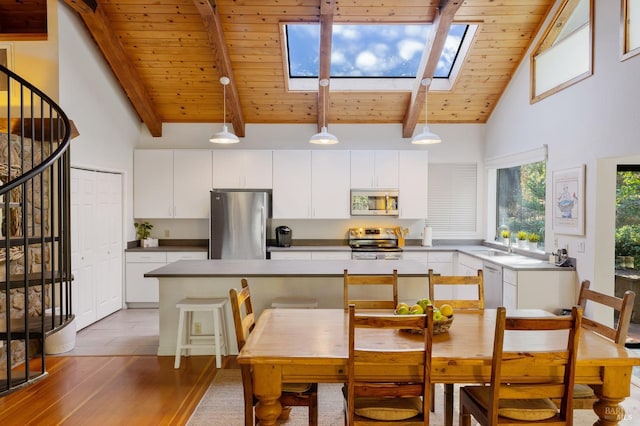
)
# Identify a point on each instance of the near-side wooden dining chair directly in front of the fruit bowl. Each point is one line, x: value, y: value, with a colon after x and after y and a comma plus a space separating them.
x: 378, y: 389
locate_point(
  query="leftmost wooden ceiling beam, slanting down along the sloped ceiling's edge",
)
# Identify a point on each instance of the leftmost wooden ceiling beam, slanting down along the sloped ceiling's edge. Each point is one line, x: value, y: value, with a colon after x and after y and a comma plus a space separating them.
x: 100, y: 29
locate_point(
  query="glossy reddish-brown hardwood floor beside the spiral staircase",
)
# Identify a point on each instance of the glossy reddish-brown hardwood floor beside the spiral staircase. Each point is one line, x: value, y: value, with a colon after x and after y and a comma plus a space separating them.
x: 111, y: 390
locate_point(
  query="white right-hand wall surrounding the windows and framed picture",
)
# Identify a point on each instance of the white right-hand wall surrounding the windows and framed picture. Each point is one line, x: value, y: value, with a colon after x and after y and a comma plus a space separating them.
x: 593, y: 120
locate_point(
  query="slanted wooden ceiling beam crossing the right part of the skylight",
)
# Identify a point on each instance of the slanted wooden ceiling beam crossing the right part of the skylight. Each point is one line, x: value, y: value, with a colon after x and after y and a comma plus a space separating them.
x: 430, y: 57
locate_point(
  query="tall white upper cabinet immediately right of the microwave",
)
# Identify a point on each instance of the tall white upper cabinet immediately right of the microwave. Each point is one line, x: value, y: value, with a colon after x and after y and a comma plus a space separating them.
x: 413, y: 173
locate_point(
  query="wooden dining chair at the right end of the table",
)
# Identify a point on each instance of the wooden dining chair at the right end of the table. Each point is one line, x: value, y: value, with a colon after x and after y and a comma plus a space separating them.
x: 583, y: 395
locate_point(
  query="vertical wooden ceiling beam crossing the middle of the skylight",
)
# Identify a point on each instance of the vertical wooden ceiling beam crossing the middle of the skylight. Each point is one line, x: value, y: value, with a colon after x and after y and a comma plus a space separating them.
x: 327, y: 8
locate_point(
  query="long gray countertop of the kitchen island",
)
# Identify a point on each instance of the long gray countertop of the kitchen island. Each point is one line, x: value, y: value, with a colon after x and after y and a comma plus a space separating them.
x: 298, y: 268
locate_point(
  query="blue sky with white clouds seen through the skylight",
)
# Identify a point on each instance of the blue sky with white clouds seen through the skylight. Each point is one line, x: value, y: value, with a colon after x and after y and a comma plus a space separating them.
x: 369, y: 50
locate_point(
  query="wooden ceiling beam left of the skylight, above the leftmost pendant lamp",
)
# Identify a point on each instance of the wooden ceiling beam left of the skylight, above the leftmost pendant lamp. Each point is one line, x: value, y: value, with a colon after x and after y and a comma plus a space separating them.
x: 213, y: 26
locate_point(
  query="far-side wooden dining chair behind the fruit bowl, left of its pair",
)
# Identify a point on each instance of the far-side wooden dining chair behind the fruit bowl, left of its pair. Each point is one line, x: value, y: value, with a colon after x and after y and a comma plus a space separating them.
x: 390, y: 281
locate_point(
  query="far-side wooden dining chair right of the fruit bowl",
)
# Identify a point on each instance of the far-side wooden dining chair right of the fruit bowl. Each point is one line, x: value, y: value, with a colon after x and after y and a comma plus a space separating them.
x: 470, y: 284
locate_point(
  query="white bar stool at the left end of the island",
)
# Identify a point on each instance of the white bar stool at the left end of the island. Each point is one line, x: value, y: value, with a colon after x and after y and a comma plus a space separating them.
x: 187, y: 307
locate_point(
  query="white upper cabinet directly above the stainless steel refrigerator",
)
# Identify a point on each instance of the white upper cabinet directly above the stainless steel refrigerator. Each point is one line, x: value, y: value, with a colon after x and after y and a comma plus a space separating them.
x: 242, y: 169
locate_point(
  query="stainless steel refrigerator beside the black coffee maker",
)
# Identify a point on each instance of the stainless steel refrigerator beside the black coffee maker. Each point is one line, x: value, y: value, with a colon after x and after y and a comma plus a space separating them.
x: 238, y: 222
